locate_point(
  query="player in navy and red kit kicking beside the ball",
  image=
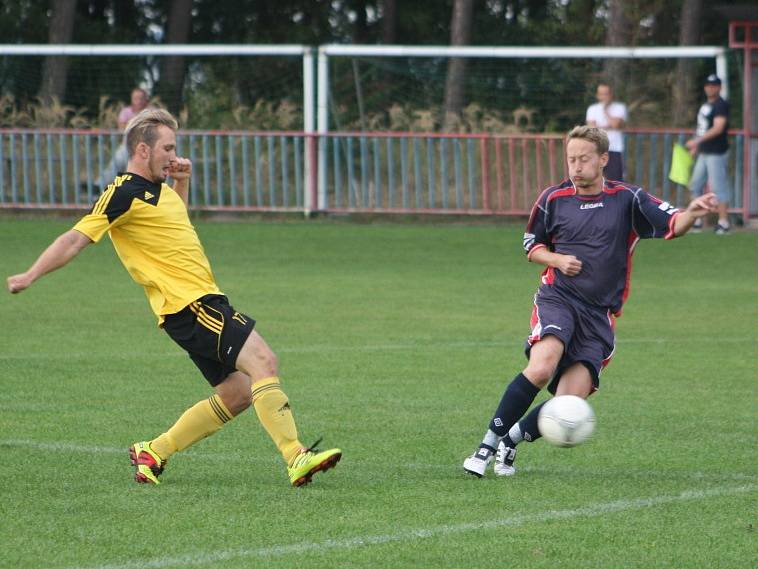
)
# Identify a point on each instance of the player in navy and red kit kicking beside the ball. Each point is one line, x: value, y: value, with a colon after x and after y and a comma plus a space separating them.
x: 584, y: 231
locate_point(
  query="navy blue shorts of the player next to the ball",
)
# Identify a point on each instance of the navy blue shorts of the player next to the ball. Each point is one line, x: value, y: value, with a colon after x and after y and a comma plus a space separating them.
x: 587, y: 331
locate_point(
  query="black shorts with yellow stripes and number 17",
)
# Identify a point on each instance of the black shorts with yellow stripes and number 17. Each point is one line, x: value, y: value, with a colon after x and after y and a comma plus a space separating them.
x: 213, y: 334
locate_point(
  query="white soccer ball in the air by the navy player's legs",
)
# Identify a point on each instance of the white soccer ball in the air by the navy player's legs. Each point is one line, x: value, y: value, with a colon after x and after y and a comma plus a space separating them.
x: 566, y: 421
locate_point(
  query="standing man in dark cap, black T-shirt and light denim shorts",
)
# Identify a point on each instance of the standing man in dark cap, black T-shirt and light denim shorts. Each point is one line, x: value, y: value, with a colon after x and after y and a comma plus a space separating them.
x: 711, y: 145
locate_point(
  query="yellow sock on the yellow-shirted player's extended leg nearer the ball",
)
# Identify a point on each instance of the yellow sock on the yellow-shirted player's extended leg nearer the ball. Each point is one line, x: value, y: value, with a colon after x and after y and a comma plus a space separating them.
x: 275, y: 415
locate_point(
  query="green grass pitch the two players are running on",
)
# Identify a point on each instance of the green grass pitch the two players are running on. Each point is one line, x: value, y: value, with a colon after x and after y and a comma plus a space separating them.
x: 395, y: 343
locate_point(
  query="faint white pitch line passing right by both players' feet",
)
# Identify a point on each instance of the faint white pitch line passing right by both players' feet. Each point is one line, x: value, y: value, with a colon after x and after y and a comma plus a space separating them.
x: 56, y: 446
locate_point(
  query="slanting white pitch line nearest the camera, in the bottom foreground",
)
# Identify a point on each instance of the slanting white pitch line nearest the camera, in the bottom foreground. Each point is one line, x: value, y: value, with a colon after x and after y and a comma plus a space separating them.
x: 593, y: 510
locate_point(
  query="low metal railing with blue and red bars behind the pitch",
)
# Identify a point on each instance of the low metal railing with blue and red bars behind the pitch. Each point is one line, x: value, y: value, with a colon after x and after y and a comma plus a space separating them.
x: 424, y: 173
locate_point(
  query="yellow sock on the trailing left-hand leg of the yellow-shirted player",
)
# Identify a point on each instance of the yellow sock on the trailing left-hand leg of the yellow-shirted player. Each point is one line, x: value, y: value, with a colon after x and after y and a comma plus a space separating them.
x: 199, y: 421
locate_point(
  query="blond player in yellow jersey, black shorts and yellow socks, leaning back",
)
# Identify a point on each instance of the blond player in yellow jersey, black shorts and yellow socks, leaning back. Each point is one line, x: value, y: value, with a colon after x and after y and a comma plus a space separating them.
x: 148, y: 224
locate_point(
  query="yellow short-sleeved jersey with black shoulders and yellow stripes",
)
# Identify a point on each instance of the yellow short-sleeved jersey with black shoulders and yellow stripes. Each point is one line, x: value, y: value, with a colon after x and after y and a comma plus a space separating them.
x: 152, y: 234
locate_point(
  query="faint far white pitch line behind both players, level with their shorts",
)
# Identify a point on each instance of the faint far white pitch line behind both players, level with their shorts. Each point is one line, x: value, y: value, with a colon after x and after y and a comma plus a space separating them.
x: 365, y: 348
